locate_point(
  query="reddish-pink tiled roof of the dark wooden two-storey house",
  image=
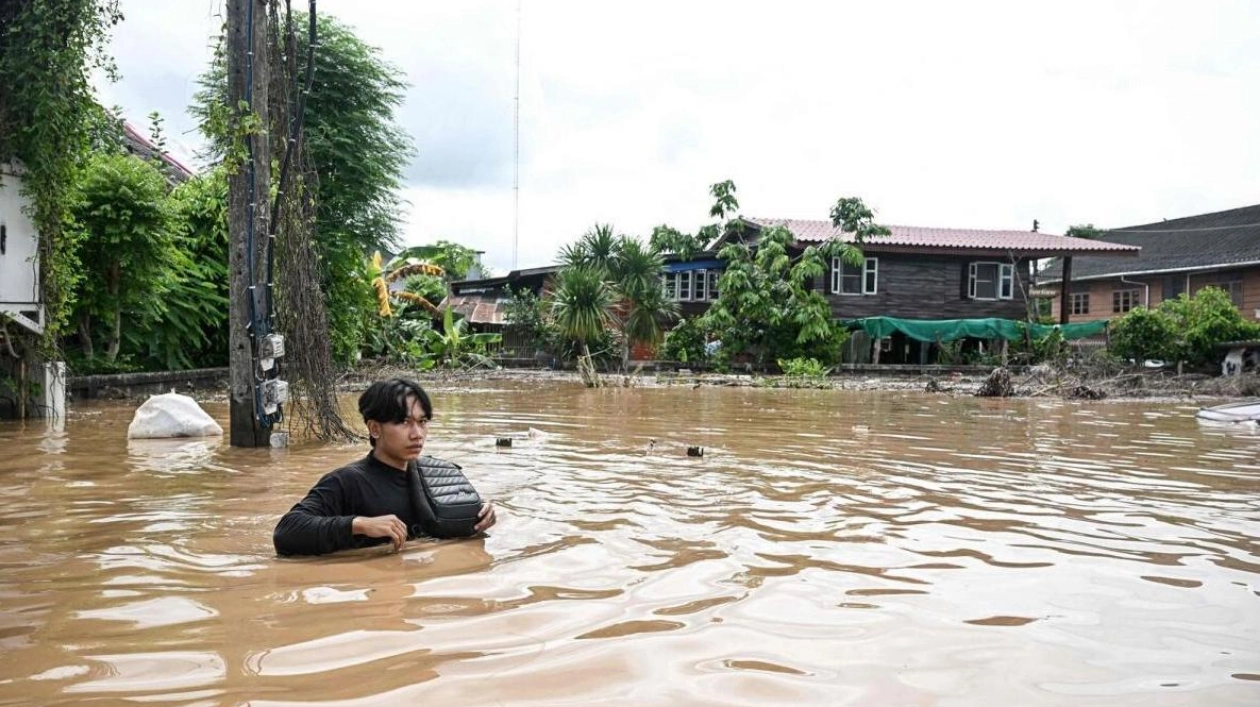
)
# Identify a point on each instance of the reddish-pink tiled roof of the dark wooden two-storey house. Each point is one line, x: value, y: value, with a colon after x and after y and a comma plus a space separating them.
x: 952, y: 239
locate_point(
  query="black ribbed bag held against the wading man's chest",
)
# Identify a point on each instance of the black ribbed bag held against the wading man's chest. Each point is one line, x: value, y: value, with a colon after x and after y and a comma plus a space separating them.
x: 445, y: 500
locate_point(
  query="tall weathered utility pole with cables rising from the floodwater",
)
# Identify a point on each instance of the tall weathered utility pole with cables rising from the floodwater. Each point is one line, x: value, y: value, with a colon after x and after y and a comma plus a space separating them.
x: 249, y: 76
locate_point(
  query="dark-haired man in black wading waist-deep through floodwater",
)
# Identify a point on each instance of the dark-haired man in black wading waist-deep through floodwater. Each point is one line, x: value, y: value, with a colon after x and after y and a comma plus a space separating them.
x: 370, y: 502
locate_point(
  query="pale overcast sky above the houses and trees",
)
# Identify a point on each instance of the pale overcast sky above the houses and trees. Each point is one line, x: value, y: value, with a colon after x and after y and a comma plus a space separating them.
x: 957, y: 115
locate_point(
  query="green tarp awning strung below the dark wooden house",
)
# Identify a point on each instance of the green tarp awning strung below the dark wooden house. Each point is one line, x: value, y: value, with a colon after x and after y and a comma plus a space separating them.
x: 952, y: 330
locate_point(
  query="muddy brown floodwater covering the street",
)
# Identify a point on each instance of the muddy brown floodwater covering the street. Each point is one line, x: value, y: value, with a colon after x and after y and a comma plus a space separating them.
x: 831, y: 548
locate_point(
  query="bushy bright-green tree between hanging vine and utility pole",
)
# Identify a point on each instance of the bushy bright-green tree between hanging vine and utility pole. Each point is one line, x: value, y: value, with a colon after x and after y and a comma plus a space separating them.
x: 127, y: 245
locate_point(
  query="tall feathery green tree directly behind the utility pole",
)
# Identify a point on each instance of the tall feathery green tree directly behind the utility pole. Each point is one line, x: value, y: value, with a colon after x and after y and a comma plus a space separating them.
x: 360, y: 154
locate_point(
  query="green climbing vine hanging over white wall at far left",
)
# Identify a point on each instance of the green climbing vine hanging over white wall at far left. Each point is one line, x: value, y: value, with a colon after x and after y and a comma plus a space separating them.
x: 49, y: 50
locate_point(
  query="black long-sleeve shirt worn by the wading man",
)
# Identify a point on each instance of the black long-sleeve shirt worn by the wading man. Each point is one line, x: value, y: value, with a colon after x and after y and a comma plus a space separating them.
x: 321, y: 524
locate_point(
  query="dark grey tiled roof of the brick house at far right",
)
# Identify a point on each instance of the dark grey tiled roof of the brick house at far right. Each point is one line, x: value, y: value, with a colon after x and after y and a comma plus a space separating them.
x: 1194, y: 243
